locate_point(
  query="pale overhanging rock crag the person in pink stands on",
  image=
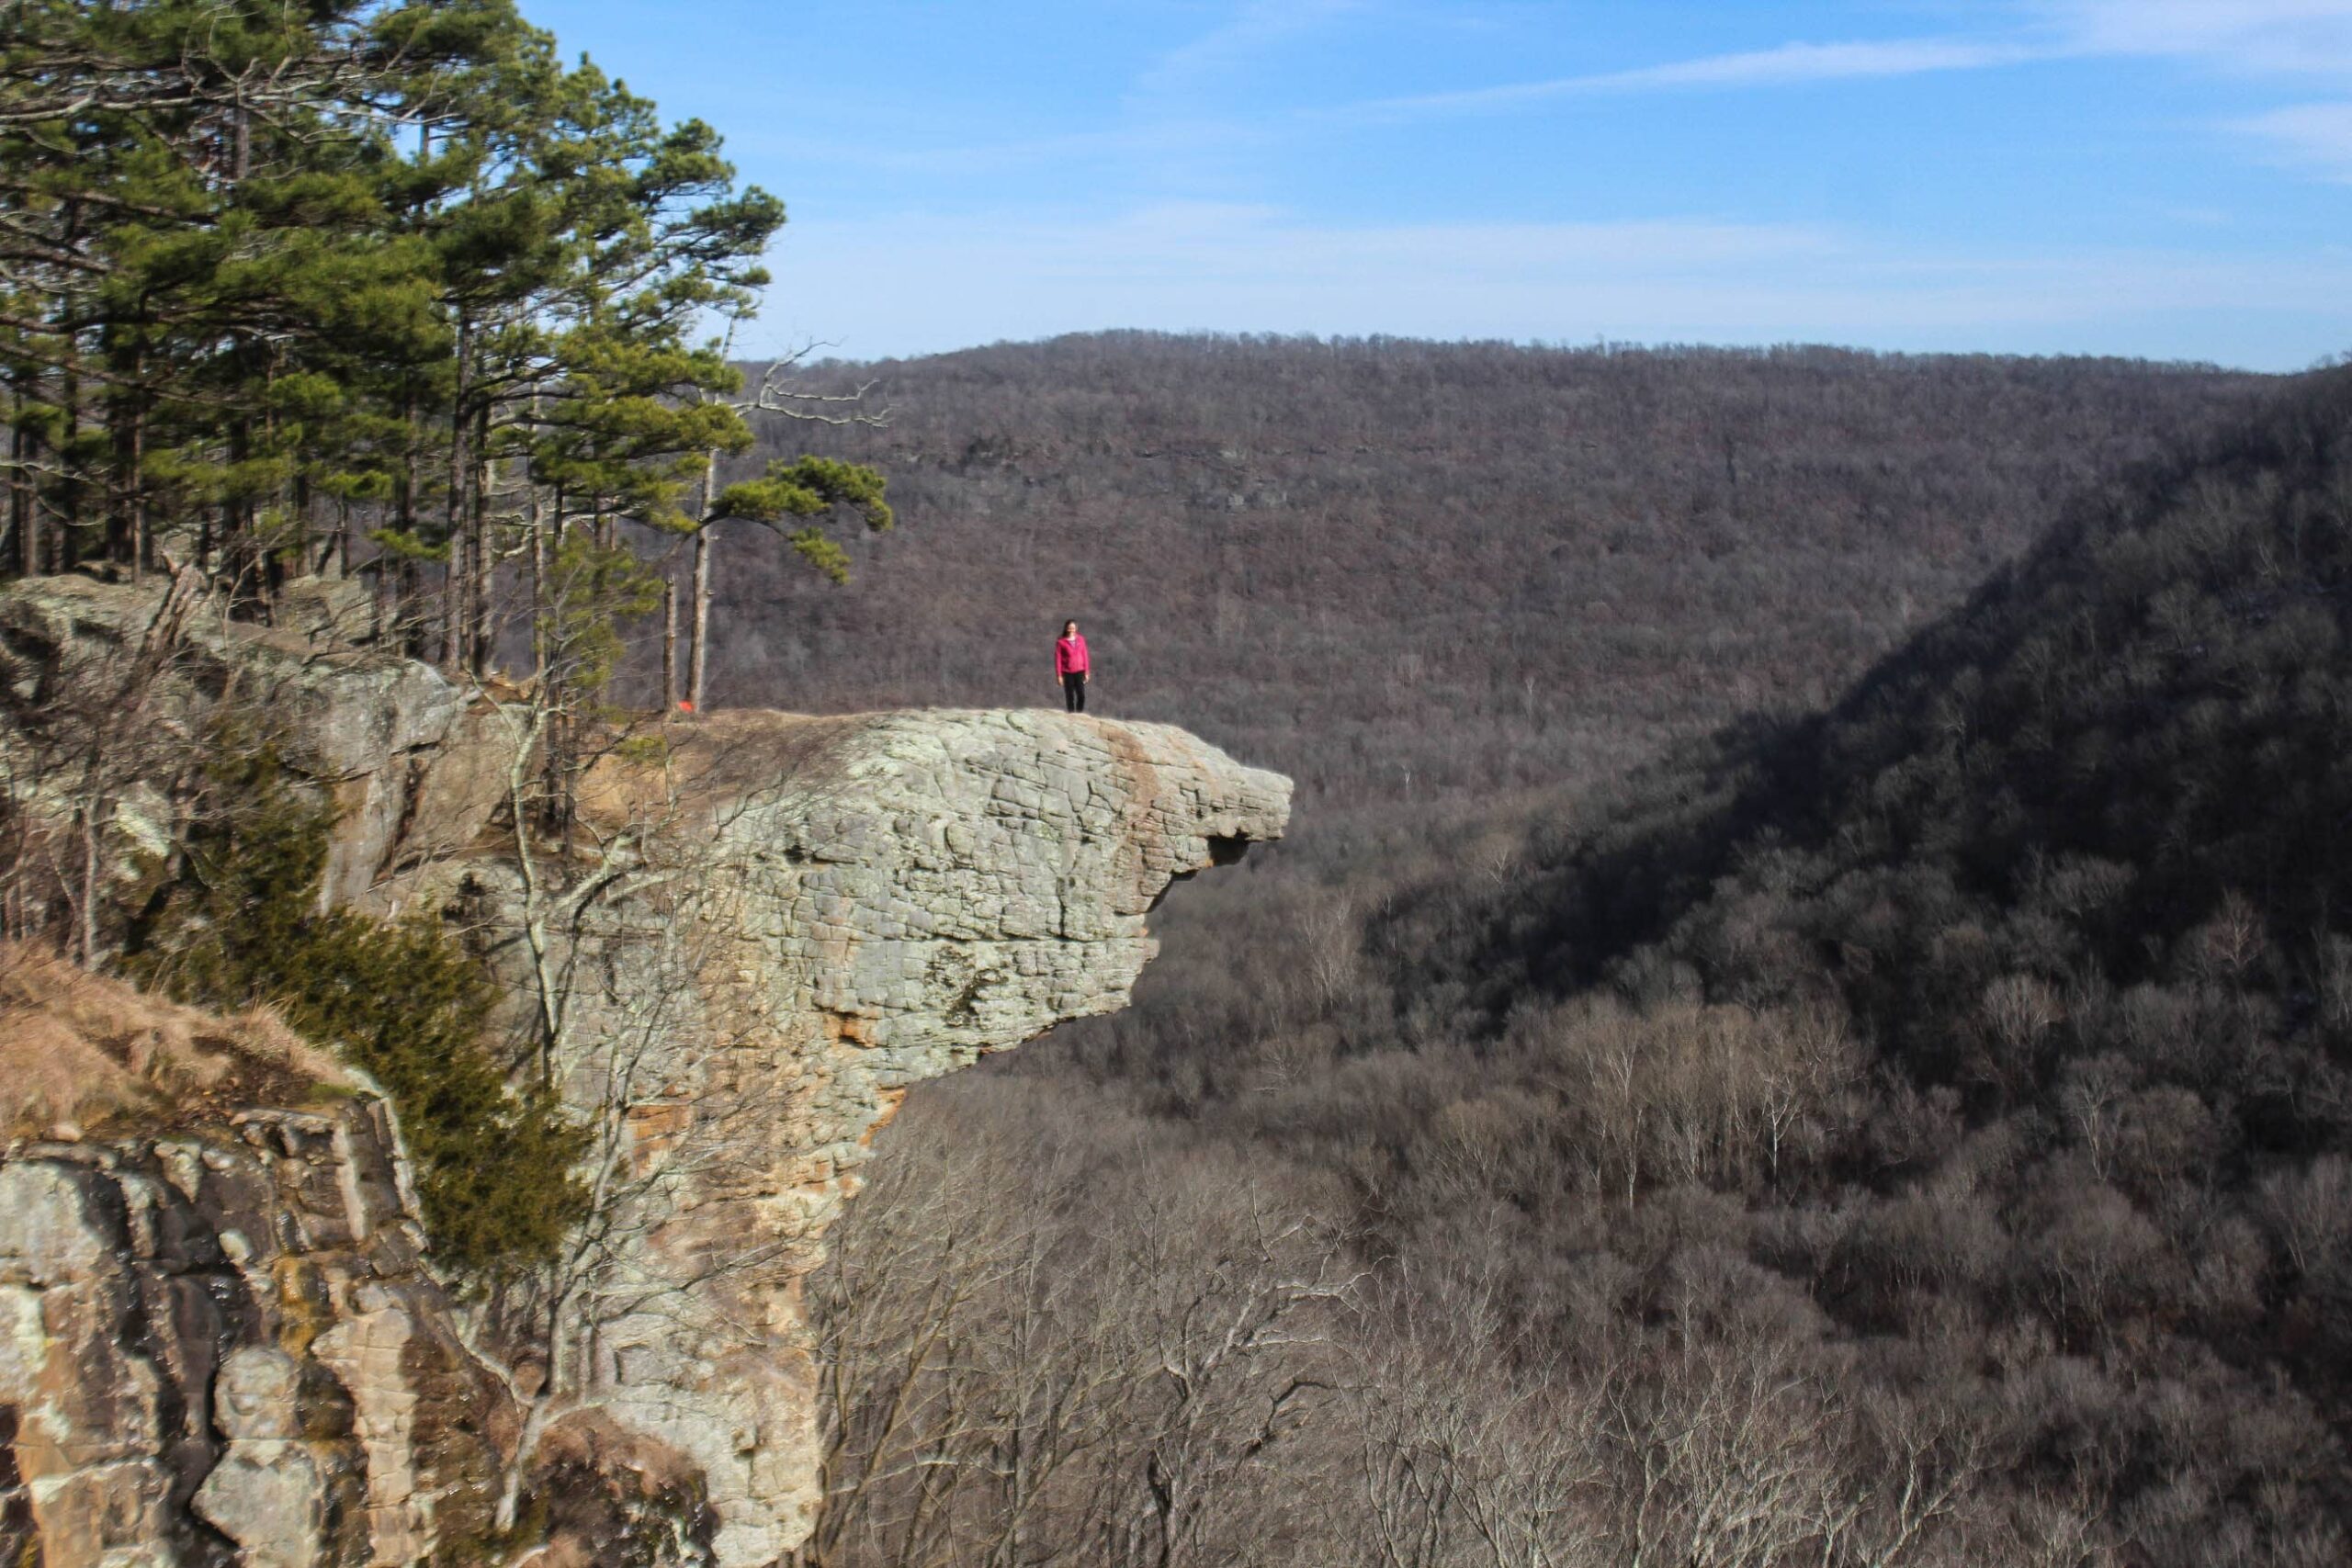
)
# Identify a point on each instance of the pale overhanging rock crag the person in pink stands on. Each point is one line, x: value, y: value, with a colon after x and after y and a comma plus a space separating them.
x: 838, y: 911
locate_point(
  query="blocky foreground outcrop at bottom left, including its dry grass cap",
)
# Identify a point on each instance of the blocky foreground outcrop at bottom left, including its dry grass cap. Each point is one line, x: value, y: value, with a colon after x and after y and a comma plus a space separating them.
x: 218, y: 1341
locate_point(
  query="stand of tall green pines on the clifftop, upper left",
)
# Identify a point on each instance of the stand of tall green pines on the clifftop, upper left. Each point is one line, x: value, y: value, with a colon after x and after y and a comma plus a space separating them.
x: 295, y: 286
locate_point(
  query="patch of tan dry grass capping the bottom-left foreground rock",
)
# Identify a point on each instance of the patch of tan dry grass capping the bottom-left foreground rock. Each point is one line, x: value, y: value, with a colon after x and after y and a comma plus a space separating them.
x: 86, y: 1054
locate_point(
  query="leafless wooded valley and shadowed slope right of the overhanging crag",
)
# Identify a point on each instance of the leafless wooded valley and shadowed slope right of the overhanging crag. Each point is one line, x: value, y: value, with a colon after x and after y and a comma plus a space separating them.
x: 1911, y: 1134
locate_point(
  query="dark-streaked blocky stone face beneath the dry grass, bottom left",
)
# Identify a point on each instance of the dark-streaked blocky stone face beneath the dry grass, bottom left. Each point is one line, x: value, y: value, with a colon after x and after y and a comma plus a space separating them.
x: 168, y: 1311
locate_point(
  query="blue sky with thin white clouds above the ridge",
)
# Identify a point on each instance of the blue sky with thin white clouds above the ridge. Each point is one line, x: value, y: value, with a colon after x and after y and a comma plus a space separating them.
x: 2144, y: 177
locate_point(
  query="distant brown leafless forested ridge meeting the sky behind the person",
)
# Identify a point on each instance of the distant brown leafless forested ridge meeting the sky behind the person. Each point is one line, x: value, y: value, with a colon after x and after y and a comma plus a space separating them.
x: 1417, y: 570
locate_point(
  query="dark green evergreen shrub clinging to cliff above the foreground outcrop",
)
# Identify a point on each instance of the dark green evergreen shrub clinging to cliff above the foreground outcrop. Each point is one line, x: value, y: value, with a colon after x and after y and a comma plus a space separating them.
x: 401, y: 1000
